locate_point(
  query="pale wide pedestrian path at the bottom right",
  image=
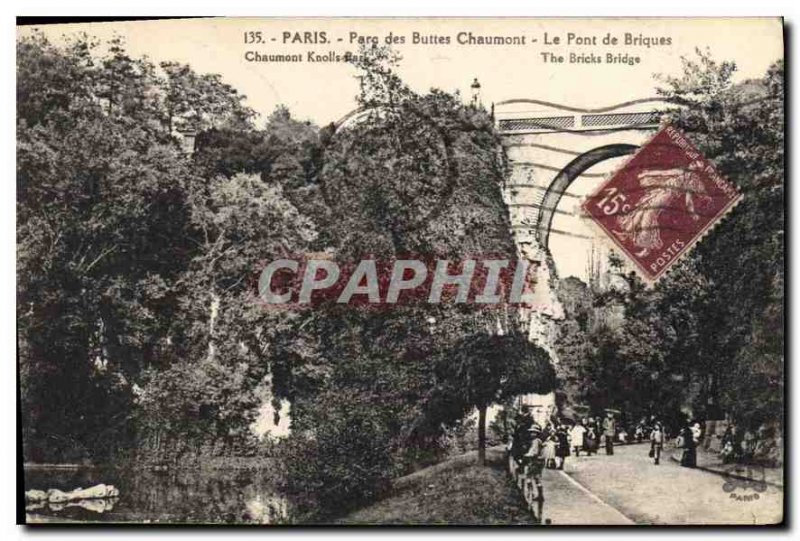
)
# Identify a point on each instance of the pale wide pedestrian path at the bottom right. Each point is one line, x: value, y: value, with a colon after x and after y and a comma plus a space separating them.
x: 628, y: 488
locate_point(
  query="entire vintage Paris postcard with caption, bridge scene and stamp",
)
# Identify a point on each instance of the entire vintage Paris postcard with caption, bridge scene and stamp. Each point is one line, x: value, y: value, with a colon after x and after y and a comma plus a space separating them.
x: 401, y: 271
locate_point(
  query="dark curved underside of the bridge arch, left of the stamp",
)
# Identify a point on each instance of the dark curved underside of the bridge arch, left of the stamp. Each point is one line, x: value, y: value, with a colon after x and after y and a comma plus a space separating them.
x: 566, y: 176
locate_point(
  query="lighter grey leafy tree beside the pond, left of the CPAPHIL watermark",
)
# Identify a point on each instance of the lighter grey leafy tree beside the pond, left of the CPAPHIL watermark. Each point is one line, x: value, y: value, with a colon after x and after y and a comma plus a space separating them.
x: 219, y: 343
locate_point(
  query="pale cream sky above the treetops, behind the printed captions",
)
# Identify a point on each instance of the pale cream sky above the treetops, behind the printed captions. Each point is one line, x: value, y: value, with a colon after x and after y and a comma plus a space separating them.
x: 324, y: 92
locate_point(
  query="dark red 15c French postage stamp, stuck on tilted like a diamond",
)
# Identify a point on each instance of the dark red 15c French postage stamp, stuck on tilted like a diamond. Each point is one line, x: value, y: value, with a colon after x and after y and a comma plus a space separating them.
x: 661, y: 202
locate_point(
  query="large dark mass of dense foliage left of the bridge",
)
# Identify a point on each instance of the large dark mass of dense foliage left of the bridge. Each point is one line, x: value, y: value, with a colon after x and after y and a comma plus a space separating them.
x: 139, y: 333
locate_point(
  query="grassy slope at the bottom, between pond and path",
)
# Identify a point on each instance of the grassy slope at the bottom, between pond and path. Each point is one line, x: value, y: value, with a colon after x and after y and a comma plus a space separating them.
x: 457, y: 491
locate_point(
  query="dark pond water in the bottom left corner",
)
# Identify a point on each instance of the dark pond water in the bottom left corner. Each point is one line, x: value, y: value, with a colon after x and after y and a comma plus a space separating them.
x: 219, y: 496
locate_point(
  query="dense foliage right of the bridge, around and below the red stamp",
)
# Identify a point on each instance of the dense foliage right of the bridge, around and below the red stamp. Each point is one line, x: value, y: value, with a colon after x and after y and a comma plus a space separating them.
x: 709, y: 337
